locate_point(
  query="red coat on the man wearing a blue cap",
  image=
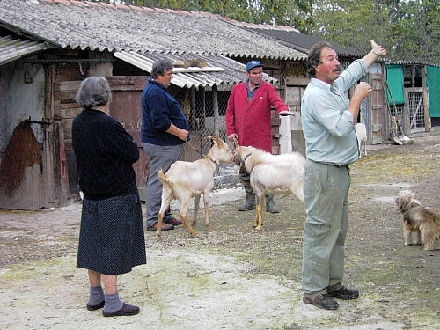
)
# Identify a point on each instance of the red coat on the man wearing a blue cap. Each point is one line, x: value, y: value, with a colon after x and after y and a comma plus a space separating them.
x: 251, y: 120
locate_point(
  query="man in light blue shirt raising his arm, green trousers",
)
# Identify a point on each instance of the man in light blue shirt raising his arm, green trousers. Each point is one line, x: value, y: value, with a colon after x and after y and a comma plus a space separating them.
x: 328, y: 119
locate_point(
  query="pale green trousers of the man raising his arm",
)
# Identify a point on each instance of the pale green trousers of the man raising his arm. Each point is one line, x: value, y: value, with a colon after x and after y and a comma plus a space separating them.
x: 325, y: 228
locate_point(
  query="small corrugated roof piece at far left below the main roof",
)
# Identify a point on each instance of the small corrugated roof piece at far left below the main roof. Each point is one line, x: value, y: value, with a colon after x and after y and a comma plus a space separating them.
x: 13, y: 49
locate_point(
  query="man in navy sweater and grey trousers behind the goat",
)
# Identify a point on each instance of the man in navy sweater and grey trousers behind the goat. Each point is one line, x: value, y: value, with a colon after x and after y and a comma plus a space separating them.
x: 164, y: 130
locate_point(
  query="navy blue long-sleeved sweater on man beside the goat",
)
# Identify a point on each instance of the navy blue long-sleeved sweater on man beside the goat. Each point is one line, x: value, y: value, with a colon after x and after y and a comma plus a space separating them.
x: 159, y: 111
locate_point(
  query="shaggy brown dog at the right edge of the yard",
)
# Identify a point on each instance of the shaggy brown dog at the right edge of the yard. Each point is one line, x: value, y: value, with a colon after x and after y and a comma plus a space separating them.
x: 421, y: 225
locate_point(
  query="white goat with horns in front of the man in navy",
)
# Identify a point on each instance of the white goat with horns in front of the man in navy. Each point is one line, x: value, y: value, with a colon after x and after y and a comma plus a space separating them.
x: 185, y: 180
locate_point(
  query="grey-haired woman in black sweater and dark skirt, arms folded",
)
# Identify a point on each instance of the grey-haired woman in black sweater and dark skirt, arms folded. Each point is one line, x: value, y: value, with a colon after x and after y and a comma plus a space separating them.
x: 111, y: 239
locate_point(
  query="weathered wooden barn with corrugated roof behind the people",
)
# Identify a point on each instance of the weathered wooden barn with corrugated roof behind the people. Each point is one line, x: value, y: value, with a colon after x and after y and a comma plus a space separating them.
x: 47, y: 47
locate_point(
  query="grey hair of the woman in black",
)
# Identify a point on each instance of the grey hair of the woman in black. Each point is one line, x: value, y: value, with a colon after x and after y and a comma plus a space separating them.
x: 93, y: 91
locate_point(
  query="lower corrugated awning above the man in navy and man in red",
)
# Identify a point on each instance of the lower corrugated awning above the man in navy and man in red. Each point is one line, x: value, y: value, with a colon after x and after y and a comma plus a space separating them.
x: 219, y: 70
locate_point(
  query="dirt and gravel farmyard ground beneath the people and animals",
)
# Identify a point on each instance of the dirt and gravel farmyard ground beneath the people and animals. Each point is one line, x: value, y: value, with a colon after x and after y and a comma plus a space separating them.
x: 233, y: 277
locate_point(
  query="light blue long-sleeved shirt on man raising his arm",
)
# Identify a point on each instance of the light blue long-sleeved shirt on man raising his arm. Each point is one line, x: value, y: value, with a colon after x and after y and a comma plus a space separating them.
x: 328, y: 126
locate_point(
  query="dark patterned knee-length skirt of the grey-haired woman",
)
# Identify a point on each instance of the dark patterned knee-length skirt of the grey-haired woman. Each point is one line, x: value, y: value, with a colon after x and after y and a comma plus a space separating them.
x: 111, y: 238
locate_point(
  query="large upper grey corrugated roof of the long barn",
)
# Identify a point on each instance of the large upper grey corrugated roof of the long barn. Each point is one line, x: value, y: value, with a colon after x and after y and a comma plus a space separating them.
x: 100, y: 26
